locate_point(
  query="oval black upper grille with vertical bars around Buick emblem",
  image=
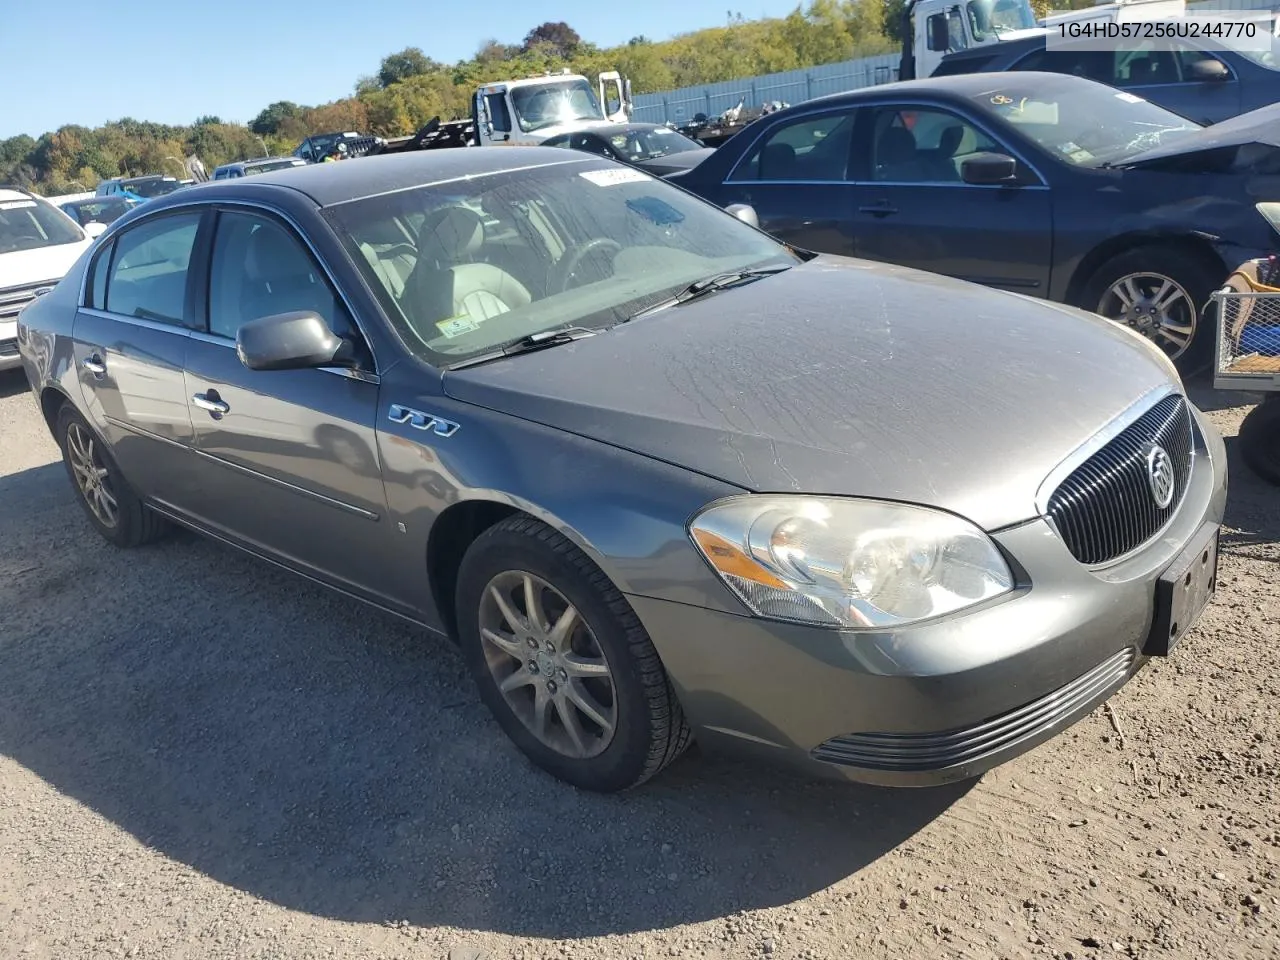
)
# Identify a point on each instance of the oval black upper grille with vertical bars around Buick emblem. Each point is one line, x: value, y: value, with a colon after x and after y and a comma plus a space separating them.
x: 1105, y: 508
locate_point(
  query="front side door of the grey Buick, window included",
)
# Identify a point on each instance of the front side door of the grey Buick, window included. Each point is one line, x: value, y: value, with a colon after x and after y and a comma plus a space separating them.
x: 289, y: 460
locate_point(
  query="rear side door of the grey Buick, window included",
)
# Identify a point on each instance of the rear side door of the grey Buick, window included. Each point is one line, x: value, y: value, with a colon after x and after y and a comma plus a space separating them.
x: 131, y: 341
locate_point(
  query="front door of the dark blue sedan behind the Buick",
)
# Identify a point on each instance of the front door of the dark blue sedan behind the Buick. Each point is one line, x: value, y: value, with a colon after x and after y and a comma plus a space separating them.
x: 913, y: 209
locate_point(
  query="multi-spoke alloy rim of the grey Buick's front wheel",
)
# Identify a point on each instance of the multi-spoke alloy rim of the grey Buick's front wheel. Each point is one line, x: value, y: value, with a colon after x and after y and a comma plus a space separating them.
x: 548, y: 665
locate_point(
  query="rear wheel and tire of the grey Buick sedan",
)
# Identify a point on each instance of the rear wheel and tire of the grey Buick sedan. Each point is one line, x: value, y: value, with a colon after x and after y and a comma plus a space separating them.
x: 134, y: 523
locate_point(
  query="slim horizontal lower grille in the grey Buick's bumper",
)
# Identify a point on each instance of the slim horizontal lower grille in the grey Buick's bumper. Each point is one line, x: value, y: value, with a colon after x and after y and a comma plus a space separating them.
x: 952, y: 748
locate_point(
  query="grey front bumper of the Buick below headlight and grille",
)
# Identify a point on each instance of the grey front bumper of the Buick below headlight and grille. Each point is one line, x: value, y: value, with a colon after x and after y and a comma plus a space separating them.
x: 939, y: 702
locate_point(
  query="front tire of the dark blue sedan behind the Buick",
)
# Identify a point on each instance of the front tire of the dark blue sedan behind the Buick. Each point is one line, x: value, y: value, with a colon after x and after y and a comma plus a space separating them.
x: 1194, y: 277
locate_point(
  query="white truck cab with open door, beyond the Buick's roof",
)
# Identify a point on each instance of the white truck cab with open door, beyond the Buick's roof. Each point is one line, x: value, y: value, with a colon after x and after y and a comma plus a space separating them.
x: 527, y: 112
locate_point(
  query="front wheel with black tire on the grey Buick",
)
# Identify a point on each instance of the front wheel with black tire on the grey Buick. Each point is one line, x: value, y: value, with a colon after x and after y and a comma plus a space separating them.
x: 647, y: 729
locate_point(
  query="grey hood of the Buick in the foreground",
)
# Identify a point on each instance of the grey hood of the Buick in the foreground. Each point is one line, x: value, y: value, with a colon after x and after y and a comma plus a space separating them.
x: 847, y: 378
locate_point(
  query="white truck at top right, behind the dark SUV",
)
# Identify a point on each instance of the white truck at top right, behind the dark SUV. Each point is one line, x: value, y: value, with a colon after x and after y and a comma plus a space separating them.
x: 934, y: 29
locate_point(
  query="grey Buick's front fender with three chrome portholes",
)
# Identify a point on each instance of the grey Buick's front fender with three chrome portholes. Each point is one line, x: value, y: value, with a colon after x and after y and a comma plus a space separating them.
x: 627, y: 511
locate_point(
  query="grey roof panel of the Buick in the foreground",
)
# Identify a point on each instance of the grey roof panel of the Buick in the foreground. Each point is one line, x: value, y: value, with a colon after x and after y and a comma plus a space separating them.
x: 372, y: 176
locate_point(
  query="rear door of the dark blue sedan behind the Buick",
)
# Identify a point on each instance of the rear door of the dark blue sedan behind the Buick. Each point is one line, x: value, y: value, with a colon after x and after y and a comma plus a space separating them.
x: 797, y: 179
